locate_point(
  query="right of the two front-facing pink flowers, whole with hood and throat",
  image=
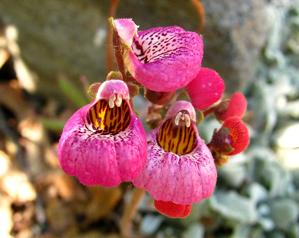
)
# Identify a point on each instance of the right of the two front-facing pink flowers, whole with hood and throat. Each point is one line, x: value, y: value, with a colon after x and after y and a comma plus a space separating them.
x: 180, y: 167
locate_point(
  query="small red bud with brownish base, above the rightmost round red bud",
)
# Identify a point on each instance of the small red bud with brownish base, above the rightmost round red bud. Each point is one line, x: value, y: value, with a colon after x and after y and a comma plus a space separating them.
x: 234, y: 107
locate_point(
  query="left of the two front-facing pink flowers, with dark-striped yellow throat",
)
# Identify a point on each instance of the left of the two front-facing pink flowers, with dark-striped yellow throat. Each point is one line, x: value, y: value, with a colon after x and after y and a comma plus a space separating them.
x: 103, y: 143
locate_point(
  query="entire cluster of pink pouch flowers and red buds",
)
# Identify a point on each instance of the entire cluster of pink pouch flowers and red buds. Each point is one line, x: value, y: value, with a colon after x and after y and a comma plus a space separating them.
x: 104, y: 143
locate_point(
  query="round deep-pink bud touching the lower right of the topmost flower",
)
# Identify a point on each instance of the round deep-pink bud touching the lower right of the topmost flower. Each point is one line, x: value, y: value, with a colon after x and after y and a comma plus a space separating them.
x: 205, y: 89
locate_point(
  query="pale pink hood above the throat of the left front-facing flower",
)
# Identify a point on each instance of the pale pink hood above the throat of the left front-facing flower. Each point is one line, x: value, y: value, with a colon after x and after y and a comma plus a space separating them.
x: 111, y: 87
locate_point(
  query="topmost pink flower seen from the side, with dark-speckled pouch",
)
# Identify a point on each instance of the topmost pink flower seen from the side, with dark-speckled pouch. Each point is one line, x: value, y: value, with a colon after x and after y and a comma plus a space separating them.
x: 162, y: 59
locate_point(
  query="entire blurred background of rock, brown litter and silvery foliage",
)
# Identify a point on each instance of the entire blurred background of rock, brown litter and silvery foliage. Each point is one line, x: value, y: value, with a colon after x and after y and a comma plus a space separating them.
x: 51, y: 50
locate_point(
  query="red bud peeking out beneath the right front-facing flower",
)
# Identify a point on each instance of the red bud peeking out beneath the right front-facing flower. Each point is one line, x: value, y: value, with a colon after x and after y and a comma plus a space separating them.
x: 173, y: 210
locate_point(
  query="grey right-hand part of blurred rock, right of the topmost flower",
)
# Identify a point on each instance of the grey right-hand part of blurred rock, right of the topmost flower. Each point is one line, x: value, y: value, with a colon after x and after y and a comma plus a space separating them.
x: 235, y: 33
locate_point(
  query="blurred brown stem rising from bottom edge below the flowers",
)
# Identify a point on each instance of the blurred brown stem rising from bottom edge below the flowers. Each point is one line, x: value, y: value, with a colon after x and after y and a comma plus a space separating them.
x: 129, y: 212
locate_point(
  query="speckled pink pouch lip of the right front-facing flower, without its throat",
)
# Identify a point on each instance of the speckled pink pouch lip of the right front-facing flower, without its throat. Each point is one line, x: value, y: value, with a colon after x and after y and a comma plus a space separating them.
x: 184, y: 179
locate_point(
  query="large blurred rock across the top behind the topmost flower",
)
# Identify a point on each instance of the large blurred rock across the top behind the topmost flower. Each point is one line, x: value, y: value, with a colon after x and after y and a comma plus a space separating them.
x: 68, y: 38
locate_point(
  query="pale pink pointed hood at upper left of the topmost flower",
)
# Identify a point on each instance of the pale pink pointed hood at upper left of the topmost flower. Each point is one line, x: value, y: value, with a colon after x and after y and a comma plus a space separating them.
x: 126, y: 29
